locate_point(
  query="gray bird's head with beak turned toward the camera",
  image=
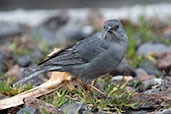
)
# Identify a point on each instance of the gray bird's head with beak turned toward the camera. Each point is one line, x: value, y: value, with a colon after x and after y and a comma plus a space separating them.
x: 114, y: 31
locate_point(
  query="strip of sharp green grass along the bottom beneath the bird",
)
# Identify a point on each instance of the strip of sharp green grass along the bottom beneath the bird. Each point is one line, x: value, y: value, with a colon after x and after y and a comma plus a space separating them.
x: 117, y: 92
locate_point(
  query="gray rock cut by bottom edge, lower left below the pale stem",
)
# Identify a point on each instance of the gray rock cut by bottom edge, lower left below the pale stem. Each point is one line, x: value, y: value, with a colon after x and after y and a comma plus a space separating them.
x: 27, y: 110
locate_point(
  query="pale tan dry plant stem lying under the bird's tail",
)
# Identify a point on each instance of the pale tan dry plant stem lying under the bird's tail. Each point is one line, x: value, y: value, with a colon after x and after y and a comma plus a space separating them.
x: 51, y: 85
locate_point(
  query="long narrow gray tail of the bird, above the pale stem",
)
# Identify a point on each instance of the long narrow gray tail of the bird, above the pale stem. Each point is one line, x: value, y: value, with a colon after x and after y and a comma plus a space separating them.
x: 35, y: 73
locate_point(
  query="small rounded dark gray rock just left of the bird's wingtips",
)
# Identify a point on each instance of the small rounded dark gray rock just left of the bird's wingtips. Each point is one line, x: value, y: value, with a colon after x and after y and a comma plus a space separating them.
x: 24, y: 61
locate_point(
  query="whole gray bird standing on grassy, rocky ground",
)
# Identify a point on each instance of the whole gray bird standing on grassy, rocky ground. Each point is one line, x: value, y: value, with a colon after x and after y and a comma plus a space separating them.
x: 90, y: 58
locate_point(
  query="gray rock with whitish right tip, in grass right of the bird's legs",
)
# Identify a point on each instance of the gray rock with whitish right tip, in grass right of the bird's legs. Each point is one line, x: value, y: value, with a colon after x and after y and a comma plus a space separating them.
x: 148, y: 84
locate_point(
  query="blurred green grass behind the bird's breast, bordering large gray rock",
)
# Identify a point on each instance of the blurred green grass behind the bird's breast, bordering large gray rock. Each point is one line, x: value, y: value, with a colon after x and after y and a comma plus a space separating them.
x: 146, y: 33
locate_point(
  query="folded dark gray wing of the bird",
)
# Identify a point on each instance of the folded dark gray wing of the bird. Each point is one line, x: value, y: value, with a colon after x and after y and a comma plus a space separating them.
x: 80, y: 53
